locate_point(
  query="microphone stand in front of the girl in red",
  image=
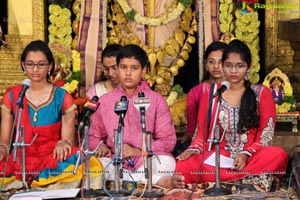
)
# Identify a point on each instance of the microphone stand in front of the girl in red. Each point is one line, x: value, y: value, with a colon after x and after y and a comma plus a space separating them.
x: 217, y: 190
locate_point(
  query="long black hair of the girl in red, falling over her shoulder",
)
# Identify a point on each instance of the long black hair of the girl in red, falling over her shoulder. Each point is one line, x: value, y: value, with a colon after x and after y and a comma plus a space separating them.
x: 248, y: 114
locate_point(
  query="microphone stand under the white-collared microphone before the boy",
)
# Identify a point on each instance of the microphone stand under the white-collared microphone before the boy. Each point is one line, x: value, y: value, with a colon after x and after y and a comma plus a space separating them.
x: 147, y: 156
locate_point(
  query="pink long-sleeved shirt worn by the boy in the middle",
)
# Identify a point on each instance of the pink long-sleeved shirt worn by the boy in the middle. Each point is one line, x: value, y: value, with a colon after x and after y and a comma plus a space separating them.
x: 158, y: 122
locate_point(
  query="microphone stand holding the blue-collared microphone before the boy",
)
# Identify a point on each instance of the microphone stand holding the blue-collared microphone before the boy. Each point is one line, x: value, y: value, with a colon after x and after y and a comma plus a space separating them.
x: 118, y: 160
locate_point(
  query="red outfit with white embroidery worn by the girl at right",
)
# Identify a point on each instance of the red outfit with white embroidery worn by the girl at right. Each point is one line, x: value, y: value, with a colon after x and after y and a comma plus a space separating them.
x: 256, y: 142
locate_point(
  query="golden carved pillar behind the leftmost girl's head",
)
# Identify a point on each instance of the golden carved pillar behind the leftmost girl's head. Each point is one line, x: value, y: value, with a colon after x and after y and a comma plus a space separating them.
x: 26, y: 22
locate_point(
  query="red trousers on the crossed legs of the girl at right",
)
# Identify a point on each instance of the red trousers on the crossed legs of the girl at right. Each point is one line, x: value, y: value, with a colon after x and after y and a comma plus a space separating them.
x: 269, y: 159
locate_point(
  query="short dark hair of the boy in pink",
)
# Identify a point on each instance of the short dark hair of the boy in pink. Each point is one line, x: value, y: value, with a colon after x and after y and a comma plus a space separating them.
x: 133, y: 51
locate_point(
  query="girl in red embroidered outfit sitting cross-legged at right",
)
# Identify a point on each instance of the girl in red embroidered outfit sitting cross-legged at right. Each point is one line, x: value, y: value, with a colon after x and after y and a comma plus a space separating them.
x: 246, y: 119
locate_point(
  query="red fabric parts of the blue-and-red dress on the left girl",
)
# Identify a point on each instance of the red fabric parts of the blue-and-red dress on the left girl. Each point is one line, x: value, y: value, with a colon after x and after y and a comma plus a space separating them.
x: 40, y: 154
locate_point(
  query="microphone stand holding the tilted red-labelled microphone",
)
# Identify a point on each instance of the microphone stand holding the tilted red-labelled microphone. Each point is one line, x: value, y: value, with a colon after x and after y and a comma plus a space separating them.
x: 84, y: 154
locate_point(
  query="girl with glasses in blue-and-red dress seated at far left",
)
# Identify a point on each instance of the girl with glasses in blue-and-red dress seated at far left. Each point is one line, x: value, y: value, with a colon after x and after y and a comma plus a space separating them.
x: 48, y: 112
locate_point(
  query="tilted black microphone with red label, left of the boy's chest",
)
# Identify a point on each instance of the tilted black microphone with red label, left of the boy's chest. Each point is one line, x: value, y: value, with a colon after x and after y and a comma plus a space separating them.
x: 89, y: 107
